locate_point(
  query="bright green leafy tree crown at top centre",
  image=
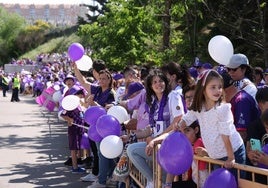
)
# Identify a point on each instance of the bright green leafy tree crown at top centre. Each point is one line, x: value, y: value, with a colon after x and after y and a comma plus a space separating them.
x: 124, y: 34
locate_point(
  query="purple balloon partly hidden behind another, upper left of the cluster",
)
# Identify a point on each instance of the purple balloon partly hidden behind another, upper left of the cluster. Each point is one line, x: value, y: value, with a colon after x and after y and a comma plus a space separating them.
x: 93, y: 113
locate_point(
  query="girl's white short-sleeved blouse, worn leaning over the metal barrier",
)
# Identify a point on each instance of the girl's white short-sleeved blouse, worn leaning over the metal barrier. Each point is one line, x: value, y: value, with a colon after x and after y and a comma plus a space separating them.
x: 214, y: 123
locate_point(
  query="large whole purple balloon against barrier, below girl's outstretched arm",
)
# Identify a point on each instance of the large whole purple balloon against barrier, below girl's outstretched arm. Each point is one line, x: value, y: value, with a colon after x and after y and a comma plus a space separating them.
x: 175, y: 155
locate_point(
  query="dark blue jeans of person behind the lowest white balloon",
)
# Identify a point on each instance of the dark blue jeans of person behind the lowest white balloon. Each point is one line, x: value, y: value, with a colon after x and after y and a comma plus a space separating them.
x: 106, y: 166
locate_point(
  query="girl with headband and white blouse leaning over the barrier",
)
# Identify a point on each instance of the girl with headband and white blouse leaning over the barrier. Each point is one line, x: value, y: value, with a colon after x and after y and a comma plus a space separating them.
x: 215, y: 118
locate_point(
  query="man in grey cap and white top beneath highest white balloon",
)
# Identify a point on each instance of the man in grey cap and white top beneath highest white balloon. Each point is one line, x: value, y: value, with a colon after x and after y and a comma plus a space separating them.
x: 242, y: 73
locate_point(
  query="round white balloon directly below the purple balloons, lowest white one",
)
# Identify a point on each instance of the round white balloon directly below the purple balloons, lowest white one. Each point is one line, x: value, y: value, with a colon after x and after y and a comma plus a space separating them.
x: 111, y: 146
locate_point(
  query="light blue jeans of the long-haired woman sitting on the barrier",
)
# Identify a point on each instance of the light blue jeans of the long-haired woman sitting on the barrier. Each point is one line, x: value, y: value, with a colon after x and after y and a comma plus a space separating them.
x: 137, y: 155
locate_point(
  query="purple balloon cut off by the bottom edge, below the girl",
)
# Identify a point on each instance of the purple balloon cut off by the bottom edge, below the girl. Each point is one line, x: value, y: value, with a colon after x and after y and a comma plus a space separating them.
x: 220, y: 178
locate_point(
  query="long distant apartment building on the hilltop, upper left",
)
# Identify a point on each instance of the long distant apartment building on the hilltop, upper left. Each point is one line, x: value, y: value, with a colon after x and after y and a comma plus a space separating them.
x: 59, y: 15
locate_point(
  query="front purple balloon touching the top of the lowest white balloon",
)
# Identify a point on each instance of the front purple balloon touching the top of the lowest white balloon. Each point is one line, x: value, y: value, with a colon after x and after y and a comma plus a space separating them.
x: 108, y: 125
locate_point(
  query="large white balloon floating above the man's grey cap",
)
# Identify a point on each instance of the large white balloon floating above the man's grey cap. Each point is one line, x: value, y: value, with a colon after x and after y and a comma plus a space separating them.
x: 220, y: 49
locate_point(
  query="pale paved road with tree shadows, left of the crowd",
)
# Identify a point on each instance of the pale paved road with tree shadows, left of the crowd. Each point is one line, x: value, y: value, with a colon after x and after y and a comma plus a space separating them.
x: 33, y: 147
